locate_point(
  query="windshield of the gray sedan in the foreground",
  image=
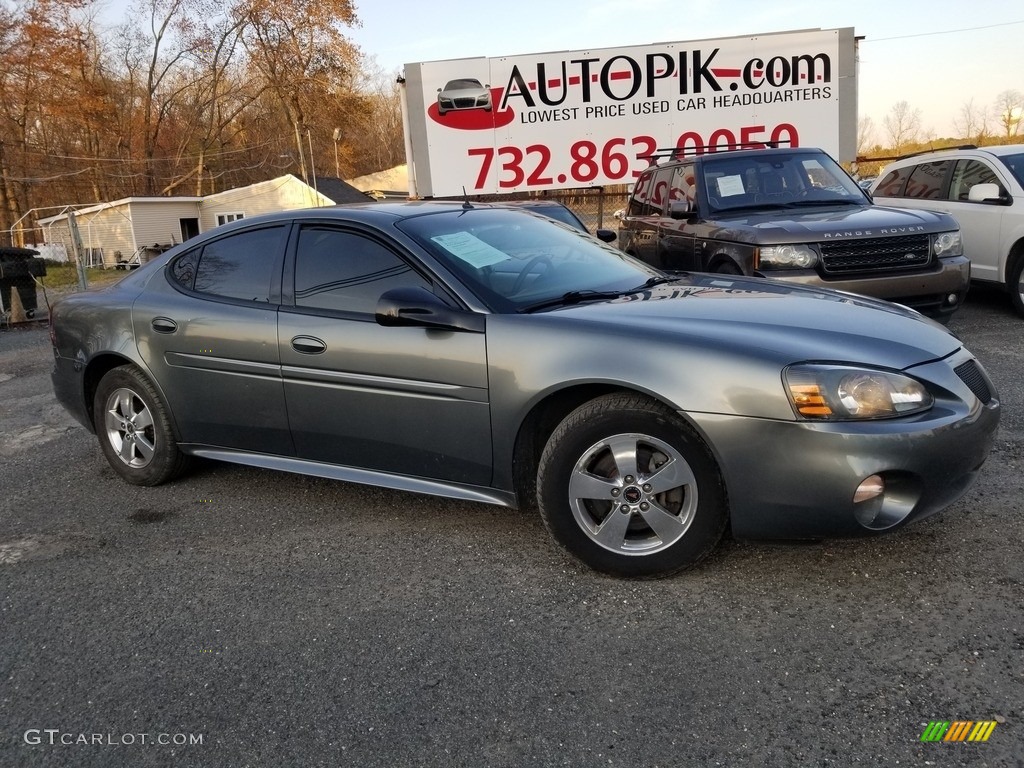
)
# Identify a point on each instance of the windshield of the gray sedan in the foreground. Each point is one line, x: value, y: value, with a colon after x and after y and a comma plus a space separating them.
x: 515, y: 261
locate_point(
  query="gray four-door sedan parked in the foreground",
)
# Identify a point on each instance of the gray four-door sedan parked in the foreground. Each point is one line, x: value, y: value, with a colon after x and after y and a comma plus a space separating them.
x: 492, y: 355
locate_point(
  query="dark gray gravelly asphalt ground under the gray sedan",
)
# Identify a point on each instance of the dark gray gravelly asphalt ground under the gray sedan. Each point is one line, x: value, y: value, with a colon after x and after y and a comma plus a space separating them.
x: 286, y: 621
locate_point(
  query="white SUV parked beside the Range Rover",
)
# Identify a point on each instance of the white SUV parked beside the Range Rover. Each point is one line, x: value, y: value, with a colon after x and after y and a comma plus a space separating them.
x: 984, y: 190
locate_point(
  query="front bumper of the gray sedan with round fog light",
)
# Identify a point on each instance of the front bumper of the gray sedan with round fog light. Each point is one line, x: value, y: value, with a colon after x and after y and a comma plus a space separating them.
x: 790, y: 480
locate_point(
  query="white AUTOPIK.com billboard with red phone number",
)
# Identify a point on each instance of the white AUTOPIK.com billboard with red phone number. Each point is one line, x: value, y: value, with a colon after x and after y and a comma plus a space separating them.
x: 572, y: 119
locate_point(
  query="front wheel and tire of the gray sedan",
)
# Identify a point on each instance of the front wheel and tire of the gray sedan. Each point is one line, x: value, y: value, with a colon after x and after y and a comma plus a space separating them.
x: 603, y: 518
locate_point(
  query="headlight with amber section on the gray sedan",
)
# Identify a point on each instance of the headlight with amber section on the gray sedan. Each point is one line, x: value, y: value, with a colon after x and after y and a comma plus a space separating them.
x: 846, y: 394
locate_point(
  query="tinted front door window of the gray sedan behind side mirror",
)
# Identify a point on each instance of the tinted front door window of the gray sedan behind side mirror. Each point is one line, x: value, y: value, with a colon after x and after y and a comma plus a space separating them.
x: 348, y: 272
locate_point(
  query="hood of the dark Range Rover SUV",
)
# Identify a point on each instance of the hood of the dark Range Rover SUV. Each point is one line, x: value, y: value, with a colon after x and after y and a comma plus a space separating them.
x: 834, y: 223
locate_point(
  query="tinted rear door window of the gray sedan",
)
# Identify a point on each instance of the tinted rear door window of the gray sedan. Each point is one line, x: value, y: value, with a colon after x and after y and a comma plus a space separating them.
x: 241, y: 266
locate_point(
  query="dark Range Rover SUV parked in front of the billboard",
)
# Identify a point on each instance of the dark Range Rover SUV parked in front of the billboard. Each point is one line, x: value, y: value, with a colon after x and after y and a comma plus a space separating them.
x: 792, y: 214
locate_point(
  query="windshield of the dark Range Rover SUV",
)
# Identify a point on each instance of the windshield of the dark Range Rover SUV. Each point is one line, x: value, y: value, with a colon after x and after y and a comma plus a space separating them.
x: 774, y: 181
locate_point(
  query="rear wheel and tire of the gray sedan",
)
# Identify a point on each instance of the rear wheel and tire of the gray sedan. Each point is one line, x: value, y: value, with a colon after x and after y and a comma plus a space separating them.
x: 135, y: 429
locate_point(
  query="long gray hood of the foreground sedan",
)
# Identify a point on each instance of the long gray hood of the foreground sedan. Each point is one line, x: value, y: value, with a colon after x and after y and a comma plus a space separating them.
x: 765, y: 318
